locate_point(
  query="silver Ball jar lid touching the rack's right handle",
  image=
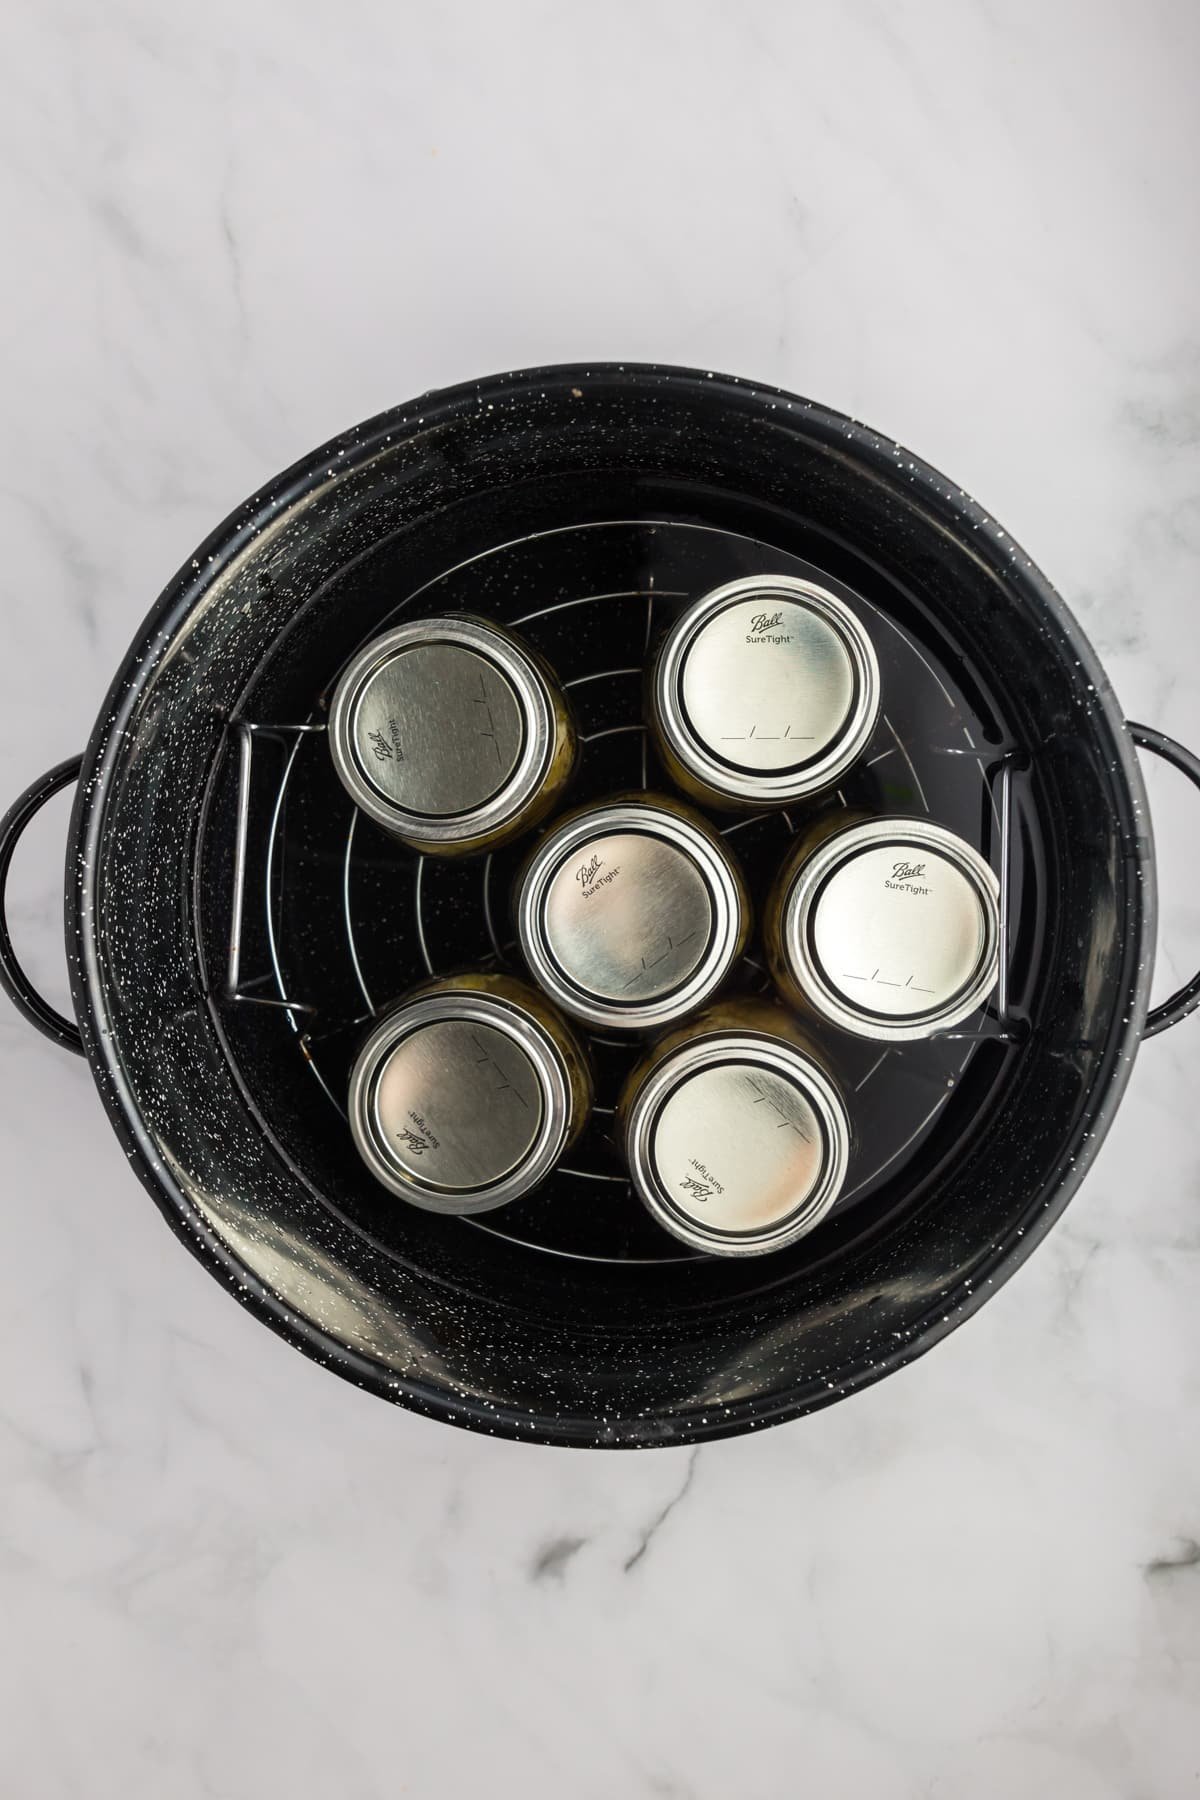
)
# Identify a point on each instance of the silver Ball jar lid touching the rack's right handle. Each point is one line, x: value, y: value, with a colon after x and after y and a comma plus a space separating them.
x: 891, y: 930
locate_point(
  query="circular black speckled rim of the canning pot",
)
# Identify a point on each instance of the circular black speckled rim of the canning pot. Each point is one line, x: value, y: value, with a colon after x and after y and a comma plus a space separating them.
x: 346, y: 453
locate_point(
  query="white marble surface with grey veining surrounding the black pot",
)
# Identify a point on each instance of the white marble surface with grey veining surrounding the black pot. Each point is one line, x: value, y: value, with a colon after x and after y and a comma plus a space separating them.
x: 231, y: 231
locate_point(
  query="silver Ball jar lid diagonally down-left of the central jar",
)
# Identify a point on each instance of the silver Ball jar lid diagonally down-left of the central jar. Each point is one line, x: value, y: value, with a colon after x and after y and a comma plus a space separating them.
x: 460, y: 1102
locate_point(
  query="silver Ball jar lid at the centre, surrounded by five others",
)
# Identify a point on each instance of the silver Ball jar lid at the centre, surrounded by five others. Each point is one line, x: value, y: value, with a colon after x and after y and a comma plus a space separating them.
x: 632, y: 913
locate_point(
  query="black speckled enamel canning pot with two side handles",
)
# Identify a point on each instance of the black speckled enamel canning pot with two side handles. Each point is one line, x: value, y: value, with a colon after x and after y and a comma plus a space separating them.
x: 233, y: 926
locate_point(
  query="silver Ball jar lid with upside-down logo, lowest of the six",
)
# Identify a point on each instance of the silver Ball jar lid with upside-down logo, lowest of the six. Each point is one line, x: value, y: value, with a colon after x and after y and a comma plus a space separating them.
x: 739, y: 1144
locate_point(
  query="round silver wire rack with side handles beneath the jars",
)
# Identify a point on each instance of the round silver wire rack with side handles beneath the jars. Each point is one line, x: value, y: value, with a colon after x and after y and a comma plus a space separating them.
x: 929, y: 755
